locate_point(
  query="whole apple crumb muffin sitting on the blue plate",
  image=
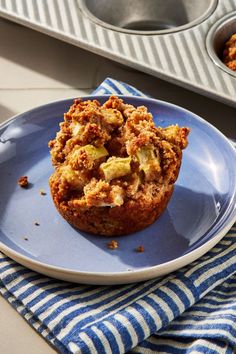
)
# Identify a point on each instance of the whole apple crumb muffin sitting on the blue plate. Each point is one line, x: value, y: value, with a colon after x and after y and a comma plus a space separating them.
x: 114, y: 169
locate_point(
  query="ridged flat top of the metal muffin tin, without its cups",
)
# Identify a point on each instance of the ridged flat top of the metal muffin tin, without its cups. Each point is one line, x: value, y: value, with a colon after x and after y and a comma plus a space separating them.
x: 179, y: 57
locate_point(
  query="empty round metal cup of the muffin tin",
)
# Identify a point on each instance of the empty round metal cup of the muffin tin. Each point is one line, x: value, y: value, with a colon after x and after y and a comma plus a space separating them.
x: 147, y: 16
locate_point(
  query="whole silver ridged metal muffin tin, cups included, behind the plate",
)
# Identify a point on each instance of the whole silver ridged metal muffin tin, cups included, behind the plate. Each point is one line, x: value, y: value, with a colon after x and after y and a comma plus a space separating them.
x: 176, y: 40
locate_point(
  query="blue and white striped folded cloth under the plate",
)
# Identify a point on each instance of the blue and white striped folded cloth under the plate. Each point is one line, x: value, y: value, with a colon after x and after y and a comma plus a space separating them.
x: 192, y: 310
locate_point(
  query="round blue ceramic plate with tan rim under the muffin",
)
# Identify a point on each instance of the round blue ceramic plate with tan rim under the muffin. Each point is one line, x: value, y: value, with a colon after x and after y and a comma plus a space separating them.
x: 200, y: 212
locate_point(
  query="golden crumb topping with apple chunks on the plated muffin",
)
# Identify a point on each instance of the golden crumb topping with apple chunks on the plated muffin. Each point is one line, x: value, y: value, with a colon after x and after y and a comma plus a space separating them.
x: 108, y: 155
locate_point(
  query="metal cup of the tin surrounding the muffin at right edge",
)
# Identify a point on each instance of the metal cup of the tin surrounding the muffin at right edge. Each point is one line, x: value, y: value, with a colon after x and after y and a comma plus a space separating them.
x: 217, y: 37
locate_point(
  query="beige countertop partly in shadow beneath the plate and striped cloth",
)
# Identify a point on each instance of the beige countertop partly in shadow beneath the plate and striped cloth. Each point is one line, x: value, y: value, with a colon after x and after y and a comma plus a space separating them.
x: 36, y: 69
